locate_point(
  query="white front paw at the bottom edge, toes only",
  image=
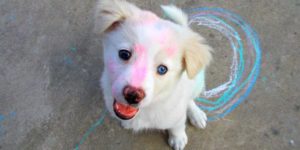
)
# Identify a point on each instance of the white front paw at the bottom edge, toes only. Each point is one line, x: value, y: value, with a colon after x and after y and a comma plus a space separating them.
x: 178, y: 142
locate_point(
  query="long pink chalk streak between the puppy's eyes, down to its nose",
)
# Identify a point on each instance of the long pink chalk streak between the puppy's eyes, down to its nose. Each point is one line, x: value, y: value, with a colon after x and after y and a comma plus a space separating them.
x: 139, y: 69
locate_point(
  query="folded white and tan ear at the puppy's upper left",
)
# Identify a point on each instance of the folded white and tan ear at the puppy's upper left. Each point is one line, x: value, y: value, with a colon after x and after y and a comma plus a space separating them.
x: 111, y: 13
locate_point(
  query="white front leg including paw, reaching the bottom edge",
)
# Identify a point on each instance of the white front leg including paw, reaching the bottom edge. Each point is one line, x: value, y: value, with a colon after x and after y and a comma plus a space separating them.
x: 177, y: 137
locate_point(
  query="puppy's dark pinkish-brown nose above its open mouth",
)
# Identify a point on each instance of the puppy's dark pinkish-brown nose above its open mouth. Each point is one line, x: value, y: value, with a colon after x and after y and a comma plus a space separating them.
x: 133, y: 95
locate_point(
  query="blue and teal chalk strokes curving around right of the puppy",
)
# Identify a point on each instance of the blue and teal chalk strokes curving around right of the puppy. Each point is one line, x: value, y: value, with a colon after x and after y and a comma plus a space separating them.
x: 234, y: 88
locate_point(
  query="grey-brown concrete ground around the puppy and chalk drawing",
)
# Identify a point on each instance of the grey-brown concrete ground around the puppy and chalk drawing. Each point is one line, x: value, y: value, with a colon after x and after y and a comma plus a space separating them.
x: 50, y: 63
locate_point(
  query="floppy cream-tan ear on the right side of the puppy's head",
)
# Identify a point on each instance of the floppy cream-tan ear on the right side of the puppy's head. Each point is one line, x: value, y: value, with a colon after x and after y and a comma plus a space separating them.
x: 196, y: 55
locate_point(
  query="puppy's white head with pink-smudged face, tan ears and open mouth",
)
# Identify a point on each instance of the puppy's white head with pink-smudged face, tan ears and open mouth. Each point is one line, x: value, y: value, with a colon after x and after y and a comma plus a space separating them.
x: 144, y: 55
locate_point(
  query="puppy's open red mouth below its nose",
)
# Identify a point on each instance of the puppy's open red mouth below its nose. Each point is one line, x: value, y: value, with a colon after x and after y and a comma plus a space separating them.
x: 124, y: 111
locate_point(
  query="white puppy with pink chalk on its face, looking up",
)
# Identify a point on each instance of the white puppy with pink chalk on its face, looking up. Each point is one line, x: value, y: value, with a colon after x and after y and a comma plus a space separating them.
x: 153, y: 68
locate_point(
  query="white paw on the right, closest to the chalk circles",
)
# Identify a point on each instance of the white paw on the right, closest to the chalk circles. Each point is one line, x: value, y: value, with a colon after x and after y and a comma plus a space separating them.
x: 196, y: 116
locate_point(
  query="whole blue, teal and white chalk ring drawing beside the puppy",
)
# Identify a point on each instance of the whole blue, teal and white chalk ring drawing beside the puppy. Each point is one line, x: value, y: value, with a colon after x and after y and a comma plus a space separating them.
x: 246, y: 61
